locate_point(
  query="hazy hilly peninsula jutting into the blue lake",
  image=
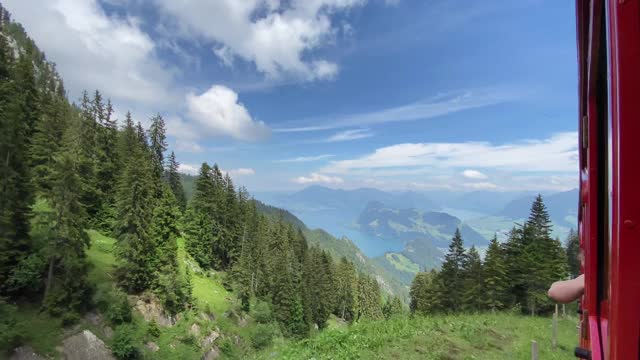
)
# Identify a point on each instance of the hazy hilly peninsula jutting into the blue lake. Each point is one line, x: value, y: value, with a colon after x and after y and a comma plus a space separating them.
x: 405, y: 225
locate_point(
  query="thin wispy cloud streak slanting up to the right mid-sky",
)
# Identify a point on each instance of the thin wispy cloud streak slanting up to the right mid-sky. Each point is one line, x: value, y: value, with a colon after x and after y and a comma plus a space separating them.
x: 431, y: 108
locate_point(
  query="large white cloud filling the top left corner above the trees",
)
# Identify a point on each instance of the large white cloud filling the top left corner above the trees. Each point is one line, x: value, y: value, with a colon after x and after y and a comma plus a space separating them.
x: 94, y: 50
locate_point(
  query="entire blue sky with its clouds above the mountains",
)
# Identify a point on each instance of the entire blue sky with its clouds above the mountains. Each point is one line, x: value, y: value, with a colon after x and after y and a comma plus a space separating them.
x: 403, y: 94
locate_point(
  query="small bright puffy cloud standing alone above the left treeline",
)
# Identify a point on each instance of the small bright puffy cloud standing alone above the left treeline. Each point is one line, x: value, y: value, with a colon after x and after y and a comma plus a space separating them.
x: 217, y: 112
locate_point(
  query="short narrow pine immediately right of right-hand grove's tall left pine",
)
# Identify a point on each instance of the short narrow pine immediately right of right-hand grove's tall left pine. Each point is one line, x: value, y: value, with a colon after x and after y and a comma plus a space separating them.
x: 473, y: 281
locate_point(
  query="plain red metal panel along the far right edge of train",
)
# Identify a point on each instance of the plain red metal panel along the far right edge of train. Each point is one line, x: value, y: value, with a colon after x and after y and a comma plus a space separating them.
x: 624, y: 310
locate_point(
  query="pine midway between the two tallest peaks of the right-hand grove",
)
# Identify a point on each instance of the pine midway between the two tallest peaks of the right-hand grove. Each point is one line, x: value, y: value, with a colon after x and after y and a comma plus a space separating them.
x: 495, y: 277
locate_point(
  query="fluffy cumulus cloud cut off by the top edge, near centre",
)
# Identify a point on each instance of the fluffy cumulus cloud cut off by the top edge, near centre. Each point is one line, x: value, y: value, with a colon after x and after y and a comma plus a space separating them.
x: 277, y: 36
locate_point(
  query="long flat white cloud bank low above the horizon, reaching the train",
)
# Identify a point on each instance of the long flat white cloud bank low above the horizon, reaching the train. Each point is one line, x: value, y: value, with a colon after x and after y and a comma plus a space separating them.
x: 559, y: 153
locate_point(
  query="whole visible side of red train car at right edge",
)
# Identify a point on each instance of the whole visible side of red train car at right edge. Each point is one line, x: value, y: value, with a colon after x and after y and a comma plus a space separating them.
x: 608, y: 33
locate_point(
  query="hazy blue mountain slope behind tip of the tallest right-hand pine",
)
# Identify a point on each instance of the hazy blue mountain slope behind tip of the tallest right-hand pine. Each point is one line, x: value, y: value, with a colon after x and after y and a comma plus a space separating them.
x: 562, y: 207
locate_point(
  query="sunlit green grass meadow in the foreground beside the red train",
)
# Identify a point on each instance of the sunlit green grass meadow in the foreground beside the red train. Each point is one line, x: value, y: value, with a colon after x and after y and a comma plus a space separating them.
x: 484, y: 336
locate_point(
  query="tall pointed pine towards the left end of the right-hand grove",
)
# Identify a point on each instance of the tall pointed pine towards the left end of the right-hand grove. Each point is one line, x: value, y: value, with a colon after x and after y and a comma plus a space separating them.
x: 452, y: 274
